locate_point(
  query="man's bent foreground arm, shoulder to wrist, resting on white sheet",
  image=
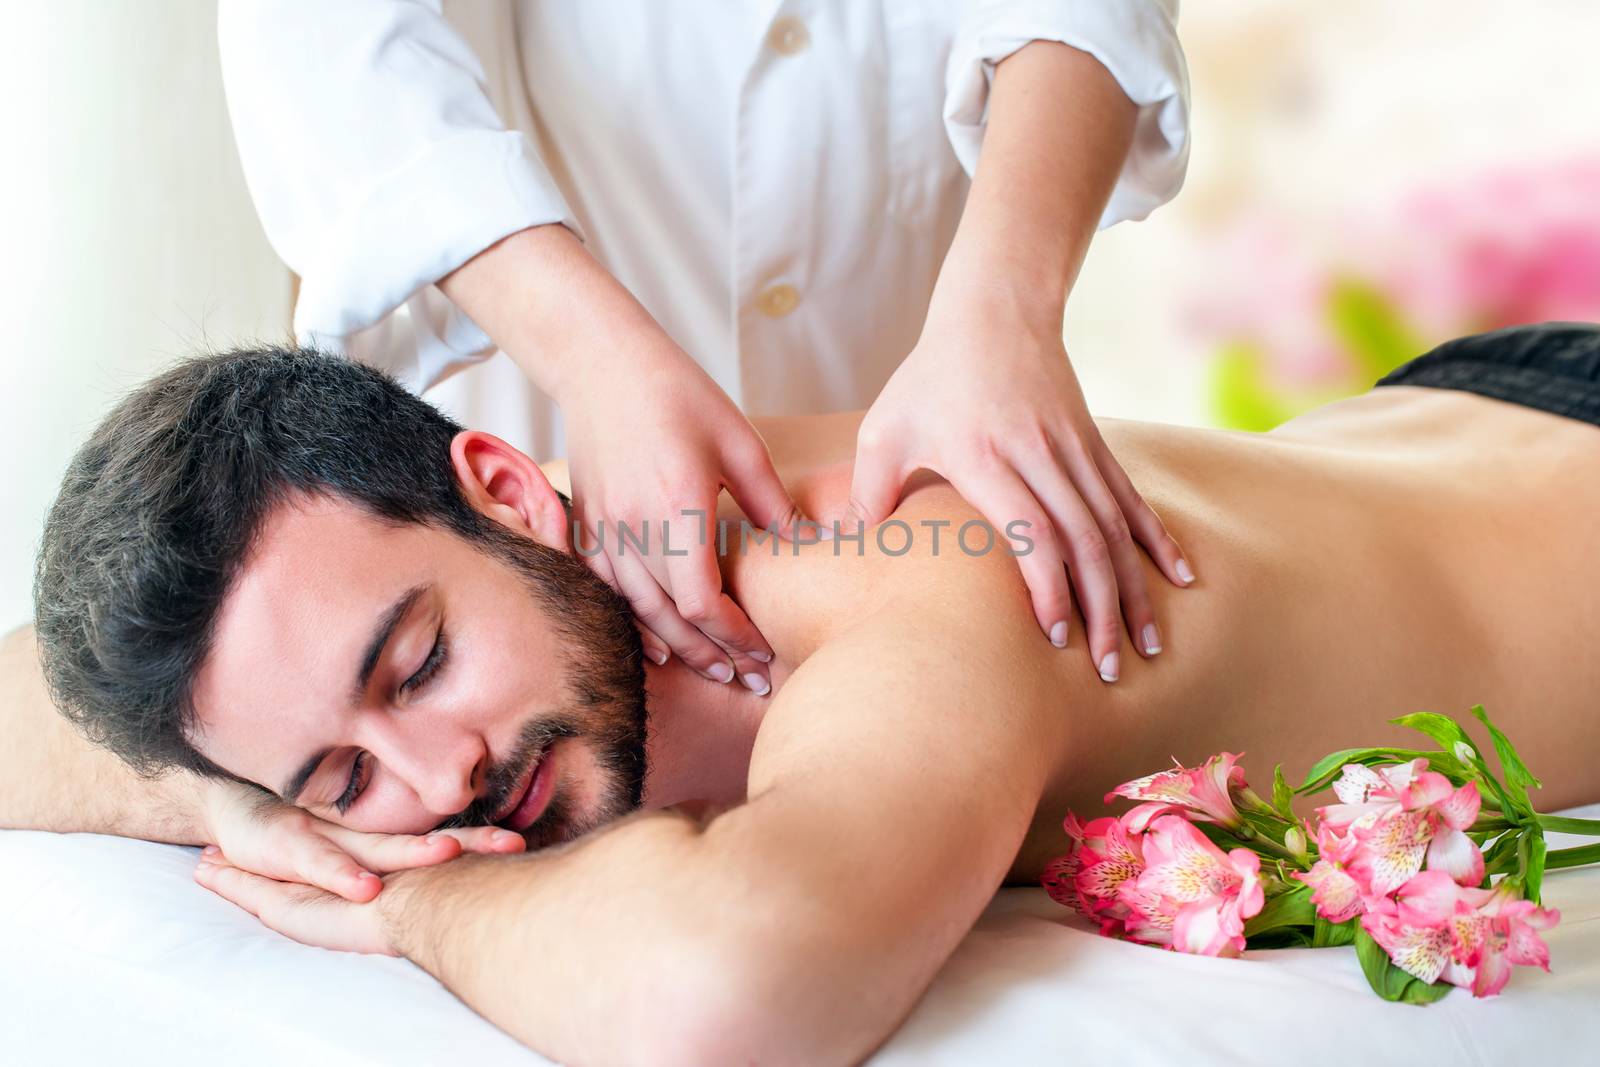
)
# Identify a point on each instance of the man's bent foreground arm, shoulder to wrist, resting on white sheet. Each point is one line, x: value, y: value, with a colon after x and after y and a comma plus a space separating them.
x: 892, y: 785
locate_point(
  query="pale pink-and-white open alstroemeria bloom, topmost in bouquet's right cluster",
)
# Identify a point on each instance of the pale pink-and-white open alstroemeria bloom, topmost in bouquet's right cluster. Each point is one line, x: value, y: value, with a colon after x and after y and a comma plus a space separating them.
x: 1399, y: 817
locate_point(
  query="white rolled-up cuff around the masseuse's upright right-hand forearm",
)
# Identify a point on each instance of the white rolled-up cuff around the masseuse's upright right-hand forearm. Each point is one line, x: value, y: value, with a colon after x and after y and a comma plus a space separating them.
x: 1137, y: 41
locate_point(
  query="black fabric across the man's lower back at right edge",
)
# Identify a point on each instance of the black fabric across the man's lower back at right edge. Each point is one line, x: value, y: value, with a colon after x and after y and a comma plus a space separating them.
x: 1551, y: 367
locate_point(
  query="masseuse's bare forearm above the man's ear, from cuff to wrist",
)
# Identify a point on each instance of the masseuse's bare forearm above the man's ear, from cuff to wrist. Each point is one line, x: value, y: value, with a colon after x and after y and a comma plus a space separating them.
x: 556, y: 311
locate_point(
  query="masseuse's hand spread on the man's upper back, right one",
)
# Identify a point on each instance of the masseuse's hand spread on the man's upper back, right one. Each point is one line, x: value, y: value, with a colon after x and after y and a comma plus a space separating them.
x: 988, y: 399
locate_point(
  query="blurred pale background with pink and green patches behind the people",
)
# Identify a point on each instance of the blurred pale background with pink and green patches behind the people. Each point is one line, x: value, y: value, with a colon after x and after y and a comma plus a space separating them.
x: 1369, y: 178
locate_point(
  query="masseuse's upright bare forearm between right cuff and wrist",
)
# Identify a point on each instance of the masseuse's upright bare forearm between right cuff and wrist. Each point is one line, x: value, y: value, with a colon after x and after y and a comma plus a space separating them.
x: 1060, y: 130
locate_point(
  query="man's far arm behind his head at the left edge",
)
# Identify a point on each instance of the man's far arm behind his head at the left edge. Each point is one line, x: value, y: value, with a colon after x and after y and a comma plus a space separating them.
x: 52, y: 778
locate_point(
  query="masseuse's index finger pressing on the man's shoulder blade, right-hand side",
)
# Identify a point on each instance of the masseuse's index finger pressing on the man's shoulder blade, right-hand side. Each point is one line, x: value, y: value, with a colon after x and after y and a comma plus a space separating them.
x: 1025, y: 529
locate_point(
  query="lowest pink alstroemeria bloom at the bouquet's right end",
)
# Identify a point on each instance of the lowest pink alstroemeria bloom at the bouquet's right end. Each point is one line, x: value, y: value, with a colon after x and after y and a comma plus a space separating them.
x: 1486, y: 932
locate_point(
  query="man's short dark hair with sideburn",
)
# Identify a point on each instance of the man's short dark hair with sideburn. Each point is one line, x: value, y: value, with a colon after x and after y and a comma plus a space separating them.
x: 159, y: 511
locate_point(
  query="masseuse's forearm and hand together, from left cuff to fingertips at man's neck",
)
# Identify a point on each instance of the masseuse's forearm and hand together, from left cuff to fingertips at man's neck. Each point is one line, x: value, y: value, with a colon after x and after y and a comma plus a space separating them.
x: 650, y: 438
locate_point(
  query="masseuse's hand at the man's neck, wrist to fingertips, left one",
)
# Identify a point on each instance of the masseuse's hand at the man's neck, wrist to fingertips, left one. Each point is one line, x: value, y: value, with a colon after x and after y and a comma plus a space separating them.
x: 662, y: 447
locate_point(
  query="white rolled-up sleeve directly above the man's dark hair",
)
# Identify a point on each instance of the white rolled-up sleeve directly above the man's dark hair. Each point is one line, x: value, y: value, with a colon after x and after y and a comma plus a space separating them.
x: 372, y: 151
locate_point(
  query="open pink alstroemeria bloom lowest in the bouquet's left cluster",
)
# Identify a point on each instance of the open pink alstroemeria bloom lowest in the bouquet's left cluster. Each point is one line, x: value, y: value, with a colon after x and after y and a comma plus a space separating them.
x: 1191, y: 897
